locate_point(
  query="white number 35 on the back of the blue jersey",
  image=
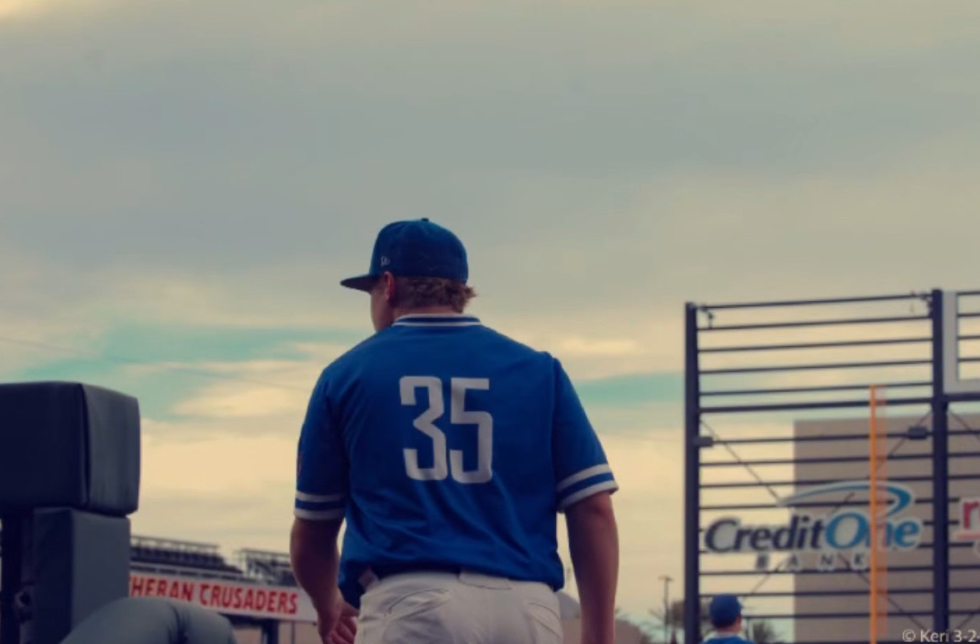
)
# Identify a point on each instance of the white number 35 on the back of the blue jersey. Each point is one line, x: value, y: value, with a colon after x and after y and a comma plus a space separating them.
x: 448, y: 462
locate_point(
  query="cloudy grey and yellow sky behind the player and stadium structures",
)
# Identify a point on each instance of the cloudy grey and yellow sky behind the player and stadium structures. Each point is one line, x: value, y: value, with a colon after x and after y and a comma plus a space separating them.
x: 183, y: 184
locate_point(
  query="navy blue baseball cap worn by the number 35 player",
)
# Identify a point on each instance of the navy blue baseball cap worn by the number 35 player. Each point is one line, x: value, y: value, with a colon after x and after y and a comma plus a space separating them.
x: 416, y: 248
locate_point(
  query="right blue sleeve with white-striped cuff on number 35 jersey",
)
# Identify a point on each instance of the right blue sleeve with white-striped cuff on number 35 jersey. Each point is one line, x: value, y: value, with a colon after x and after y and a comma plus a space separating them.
x: 581, y: 468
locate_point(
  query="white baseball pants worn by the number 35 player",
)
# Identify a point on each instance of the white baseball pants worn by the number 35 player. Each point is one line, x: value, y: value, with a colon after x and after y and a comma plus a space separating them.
x: 464, y: 608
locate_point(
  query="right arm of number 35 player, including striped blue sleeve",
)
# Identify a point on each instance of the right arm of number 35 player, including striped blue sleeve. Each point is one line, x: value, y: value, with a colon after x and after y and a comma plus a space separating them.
x: 584, y: 487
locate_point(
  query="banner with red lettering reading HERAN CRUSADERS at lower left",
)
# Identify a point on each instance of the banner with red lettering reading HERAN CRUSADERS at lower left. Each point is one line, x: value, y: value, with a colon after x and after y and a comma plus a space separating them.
x: 226, y: 597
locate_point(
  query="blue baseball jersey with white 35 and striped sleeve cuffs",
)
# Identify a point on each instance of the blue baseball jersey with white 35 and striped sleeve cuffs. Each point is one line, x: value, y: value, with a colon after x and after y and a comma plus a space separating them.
x: 445, y: 444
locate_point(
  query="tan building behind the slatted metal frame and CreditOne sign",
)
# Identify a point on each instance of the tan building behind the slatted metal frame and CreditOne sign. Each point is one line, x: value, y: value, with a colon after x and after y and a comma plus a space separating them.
x: 838, y: 581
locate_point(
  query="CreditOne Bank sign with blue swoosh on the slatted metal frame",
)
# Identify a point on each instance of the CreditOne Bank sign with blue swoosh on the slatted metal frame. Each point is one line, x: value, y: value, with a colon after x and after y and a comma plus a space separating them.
x: 843, y: 532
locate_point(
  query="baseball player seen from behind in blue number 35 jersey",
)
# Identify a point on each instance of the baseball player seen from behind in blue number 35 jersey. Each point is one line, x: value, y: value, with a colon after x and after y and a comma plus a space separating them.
x: 450, y: 450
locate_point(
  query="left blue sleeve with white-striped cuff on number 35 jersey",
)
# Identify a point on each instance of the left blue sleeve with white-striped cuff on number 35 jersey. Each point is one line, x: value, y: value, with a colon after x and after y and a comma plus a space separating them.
x: 321, y: 470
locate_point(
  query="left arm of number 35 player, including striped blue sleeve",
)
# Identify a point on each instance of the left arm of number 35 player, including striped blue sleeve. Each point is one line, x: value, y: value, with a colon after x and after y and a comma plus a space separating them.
x: 321, y: 499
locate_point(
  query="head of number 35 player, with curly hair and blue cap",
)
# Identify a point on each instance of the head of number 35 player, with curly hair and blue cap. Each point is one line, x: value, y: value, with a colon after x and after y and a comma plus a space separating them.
x: 416, y: 267
